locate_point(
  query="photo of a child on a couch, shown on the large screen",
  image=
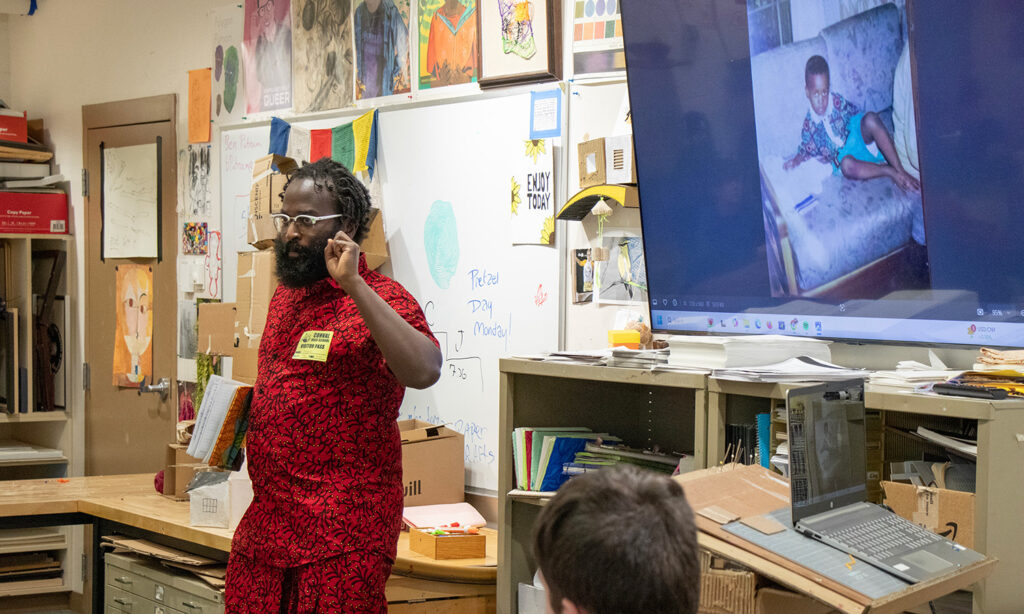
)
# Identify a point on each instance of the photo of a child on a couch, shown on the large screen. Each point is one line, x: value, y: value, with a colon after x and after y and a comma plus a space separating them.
x: 837, y: 147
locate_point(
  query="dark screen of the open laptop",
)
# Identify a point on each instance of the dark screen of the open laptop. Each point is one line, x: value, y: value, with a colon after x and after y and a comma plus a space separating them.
x: 828, y: 468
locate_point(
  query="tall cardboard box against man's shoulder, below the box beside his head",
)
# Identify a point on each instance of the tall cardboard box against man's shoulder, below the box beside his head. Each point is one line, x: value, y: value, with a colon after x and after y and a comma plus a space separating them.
x: 254, y: 288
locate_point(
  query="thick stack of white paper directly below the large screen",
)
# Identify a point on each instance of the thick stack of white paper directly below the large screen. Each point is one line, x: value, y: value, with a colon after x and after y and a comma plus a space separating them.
x: 747, y: 350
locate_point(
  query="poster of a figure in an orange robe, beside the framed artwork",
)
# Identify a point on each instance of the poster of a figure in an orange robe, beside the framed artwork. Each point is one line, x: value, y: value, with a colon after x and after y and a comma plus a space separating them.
x: 452, y: 47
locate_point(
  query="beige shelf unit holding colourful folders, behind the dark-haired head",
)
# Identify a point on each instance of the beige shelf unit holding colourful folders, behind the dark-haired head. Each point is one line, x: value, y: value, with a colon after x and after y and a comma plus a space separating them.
x: 645, y: 409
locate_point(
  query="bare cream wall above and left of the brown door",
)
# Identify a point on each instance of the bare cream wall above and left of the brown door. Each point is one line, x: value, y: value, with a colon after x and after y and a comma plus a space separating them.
x: 70, y: 55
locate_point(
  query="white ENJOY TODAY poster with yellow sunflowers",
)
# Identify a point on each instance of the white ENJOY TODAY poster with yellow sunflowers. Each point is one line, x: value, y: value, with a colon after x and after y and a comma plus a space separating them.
x: 533, y: 196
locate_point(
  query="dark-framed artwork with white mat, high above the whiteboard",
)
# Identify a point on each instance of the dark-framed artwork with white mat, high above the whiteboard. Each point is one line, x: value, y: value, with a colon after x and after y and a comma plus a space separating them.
x: 521, y: 41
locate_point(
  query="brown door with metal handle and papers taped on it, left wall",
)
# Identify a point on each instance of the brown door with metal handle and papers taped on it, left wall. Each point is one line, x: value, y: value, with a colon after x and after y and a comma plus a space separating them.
x: 127, y: 431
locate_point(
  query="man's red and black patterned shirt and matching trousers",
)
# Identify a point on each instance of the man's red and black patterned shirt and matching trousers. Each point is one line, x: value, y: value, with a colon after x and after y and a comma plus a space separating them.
x: 325, y: 457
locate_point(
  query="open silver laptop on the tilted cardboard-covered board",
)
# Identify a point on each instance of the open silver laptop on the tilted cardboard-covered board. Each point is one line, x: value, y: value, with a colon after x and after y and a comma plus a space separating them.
x: 828, y: 481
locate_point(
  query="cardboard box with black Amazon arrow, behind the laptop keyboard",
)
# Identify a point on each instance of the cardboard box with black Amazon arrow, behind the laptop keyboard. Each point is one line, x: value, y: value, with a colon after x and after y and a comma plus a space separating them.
x: 949, y: 513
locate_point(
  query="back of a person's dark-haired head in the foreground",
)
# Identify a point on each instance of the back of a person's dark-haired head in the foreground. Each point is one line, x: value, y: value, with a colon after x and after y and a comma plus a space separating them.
x: 620, y: 541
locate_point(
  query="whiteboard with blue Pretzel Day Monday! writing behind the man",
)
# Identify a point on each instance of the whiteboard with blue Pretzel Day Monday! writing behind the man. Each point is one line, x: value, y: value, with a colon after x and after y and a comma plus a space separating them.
x: 463, y: 155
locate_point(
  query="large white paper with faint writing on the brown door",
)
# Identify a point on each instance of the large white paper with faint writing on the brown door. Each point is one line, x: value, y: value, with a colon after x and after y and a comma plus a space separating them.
x: 131, y: 202
